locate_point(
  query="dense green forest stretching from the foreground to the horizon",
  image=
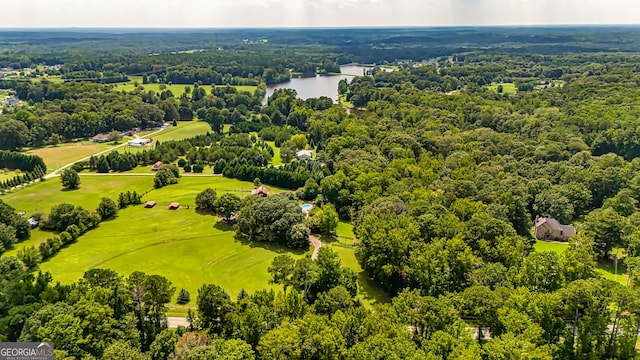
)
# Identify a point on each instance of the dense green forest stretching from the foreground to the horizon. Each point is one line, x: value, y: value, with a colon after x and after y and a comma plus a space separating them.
x: 440, y: 170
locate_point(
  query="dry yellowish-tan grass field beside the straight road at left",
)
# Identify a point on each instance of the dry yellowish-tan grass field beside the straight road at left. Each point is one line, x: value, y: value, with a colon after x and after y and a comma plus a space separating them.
x: 57, y: 156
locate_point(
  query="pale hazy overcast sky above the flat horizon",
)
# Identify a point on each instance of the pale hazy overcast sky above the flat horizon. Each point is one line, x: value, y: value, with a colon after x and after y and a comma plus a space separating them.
x: 311, y: 13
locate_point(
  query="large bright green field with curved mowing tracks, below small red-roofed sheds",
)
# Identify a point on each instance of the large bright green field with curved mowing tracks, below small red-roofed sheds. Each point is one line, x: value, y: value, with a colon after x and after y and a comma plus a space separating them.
x: 188, y: 248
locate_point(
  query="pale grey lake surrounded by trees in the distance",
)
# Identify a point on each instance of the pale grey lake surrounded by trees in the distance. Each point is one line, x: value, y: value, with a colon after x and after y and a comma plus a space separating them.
x: 320, y: 85
